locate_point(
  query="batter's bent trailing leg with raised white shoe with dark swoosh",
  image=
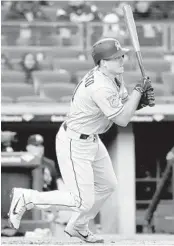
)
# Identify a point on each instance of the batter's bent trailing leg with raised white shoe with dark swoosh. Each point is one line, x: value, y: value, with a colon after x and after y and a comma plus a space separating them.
x: 77, y: 175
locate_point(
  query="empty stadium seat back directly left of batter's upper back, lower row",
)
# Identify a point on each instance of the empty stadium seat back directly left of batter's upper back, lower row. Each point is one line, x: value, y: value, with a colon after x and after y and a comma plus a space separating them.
x: 56, y: 91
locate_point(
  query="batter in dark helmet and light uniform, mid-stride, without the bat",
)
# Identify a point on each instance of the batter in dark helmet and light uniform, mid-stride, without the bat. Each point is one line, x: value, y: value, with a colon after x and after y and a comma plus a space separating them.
x: 99, y: 100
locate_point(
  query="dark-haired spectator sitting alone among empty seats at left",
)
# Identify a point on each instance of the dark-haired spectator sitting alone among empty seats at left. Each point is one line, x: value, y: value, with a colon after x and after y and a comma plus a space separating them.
x: 29, y: 64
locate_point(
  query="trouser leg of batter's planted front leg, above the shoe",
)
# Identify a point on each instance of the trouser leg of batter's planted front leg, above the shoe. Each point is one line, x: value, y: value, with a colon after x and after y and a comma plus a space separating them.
x: 105, y: 184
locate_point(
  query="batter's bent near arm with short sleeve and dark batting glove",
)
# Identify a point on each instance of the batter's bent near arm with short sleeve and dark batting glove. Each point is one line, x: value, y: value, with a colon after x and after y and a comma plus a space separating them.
x: 110, y: 103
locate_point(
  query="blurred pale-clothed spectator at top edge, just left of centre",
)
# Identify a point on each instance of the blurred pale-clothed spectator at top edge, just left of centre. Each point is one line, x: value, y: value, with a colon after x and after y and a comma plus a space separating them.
x: 79, y: 11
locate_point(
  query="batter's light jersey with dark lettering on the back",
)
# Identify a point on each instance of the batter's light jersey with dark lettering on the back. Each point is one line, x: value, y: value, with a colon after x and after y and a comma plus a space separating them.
x: 96, y: 100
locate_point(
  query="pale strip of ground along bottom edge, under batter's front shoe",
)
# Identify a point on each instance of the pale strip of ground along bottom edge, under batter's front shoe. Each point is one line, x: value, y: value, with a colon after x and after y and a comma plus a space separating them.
x: 138, y: 240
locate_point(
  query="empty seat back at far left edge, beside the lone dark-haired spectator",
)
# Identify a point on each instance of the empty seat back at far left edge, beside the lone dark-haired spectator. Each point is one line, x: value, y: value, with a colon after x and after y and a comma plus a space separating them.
x: 12, y: 76
